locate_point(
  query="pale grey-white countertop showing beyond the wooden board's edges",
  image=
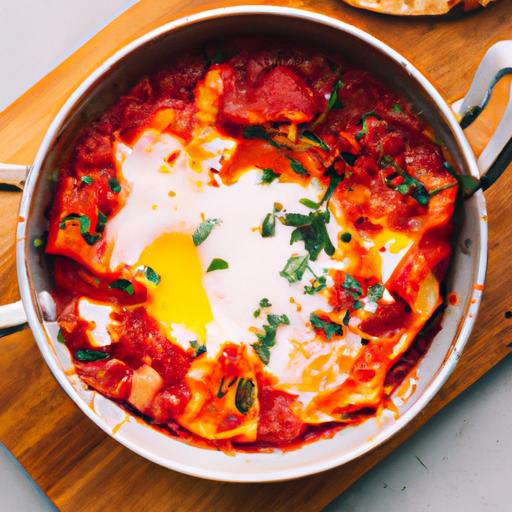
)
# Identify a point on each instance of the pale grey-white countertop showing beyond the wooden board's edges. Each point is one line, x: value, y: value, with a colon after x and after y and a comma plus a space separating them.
x: 461, y: 460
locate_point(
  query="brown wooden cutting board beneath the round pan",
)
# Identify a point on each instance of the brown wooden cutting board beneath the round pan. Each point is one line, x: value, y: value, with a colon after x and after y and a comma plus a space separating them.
x: 76, y: 464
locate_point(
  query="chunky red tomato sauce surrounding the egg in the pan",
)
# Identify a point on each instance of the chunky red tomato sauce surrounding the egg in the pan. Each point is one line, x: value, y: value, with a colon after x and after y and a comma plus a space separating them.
x: 370, y: 138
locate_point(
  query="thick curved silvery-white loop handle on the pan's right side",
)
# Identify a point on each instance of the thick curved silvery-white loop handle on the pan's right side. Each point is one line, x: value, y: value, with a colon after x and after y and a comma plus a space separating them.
x: 497, y: 154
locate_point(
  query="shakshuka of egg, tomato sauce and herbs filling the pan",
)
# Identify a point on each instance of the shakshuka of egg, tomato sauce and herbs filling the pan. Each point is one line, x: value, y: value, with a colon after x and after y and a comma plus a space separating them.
x: 248, y: 247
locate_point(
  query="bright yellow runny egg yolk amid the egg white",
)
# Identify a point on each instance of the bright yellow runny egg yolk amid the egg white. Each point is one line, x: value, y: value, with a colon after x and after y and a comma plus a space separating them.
x: 180, y: 297
